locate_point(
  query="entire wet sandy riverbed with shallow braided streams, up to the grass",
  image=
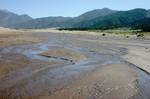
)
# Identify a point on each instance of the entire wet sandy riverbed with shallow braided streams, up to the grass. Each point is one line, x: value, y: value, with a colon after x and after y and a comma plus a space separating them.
x: 58, y: 65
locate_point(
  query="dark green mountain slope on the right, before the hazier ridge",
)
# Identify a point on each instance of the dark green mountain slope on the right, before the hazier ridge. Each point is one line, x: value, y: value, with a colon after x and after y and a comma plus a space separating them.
x: 117, y: 19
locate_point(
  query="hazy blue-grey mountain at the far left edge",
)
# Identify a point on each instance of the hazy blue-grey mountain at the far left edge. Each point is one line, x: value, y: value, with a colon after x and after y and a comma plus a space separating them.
x: 8, y: 18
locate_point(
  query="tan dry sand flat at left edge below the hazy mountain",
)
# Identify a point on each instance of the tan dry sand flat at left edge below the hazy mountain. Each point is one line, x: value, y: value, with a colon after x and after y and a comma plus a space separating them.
x: 14, y: 37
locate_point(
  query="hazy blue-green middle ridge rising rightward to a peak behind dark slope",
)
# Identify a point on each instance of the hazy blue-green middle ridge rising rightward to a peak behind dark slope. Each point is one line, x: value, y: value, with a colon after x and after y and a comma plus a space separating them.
x: 64, y: 22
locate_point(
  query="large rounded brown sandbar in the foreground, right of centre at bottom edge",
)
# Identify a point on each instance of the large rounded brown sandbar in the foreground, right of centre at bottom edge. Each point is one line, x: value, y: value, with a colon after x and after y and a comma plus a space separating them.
x: 114, y: 81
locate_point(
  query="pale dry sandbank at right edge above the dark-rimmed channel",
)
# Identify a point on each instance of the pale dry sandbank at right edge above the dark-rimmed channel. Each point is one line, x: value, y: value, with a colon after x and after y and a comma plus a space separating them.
x: 140, y: 56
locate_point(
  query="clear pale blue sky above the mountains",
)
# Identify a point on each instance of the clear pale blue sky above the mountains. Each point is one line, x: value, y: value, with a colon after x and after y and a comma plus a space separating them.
x: 68, y: 8
